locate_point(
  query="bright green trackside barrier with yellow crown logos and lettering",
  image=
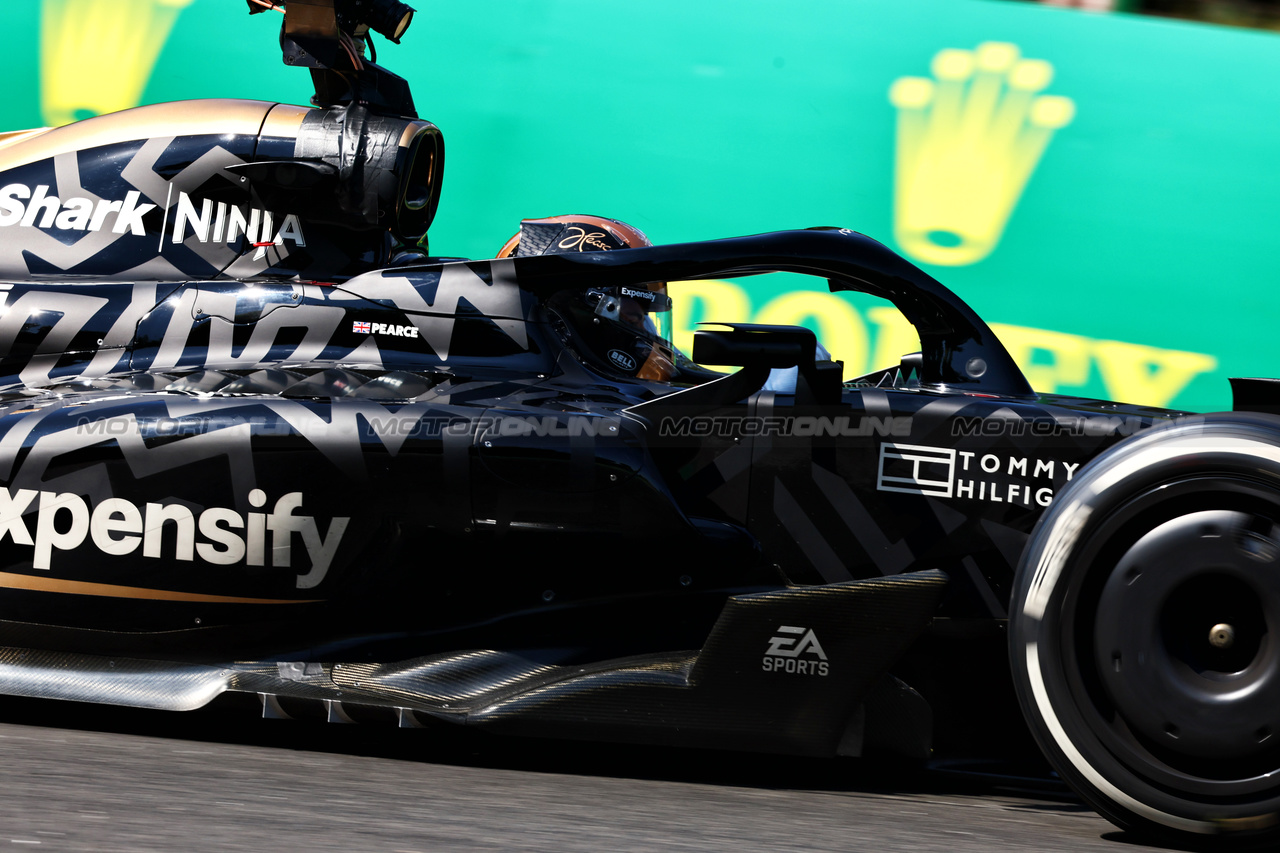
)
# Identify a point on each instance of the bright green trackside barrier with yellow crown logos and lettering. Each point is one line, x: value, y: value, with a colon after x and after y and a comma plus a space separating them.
x: 1101, y: 189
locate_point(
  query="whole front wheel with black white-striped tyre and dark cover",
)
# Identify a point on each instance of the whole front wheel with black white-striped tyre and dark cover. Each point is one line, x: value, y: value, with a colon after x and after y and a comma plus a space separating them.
x: 1145, y: 632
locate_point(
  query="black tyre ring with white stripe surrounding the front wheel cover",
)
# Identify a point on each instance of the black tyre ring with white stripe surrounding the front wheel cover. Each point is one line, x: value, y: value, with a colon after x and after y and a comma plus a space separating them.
x: 1229, y: 445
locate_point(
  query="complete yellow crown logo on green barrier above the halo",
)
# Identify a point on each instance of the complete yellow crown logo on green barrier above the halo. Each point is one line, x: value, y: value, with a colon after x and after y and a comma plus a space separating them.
x: 967, y: 144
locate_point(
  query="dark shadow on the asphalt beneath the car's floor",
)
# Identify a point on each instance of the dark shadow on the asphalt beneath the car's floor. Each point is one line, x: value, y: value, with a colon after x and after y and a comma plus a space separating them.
x: 235, y: 719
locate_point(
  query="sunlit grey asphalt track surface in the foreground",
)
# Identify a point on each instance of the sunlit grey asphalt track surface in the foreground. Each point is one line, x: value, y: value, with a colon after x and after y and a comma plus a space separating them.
x: 83, y: 778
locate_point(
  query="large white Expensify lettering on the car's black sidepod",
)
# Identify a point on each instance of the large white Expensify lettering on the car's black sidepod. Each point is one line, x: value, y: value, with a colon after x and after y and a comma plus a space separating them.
x: 118, y: 527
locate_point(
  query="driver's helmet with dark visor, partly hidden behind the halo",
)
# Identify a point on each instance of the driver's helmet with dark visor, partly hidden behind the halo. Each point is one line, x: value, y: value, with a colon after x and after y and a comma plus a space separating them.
x: 627, y: 330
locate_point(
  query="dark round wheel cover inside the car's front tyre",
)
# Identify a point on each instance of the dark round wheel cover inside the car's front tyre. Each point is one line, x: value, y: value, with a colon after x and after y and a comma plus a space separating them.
x: 1173, y: 646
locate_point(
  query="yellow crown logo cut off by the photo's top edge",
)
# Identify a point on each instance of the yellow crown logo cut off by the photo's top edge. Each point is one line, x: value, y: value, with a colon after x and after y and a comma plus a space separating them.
x: 97, y: 56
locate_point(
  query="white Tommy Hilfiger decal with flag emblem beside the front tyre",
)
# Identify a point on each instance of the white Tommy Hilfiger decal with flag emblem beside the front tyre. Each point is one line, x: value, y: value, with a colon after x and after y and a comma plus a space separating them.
x: 950, y: 473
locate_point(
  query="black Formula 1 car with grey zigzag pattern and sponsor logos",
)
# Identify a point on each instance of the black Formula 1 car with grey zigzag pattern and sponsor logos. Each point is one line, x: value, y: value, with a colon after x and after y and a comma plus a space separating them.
x: 252, y: 440
